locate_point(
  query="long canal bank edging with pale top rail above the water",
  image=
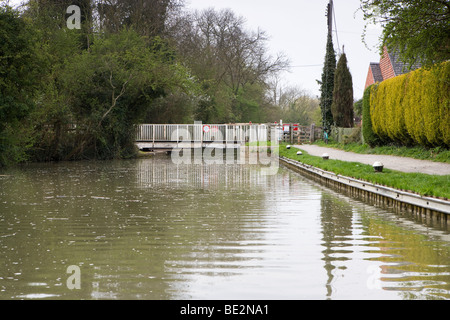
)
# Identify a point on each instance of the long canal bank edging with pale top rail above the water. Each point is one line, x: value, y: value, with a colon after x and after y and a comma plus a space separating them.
x: 432, y: 209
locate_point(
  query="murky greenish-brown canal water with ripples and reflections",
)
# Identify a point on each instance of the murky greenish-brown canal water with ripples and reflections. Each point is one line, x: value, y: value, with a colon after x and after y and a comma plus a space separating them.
x: 152, y: 229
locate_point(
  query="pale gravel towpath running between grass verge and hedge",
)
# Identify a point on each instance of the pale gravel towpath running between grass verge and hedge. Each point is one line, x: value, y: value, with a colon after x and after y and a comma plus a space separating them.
x: 391, y: 162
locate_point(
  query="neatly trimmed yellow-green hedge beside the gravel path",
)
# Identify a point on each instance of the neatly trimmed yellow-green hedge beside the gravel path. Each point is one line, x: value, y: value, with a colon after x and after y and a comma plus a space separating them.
x: 413, y: 108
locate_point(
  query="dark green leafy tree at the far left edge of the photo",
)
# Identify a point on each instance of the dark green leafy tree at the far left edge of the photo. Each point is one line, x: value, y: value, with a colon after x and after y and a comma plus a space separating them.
x: 19, y: 72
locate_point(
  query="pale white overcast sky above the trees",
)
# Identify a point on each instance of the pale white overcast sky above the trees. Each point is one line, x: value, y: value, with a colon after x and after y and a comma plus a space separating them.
x: 299, y: 29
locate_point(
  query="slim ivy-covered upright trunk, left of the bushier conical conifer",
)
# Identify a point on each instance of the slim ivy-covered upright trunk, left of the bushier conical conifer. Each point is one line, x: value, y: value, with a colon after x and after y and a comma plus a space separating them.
x: 327, y: 85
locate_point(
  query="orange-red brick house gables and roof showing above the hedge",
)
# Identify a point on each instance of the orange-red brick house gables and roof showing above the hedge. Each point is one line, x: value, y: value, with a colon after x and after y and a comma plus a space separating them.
x: 390, y: 66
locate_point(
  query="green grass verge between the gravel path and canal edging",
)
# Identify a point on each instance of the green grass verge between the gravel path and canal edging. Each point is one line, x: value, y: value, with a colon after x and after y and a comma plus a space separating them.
x: 419, y: 183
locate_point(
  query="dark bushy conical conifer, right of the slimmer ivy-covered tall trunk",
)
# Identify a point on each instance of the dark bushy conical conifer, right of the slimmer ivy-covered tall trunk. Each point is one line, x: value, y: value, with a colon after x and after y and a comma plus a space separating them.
x: 342, y: 106
